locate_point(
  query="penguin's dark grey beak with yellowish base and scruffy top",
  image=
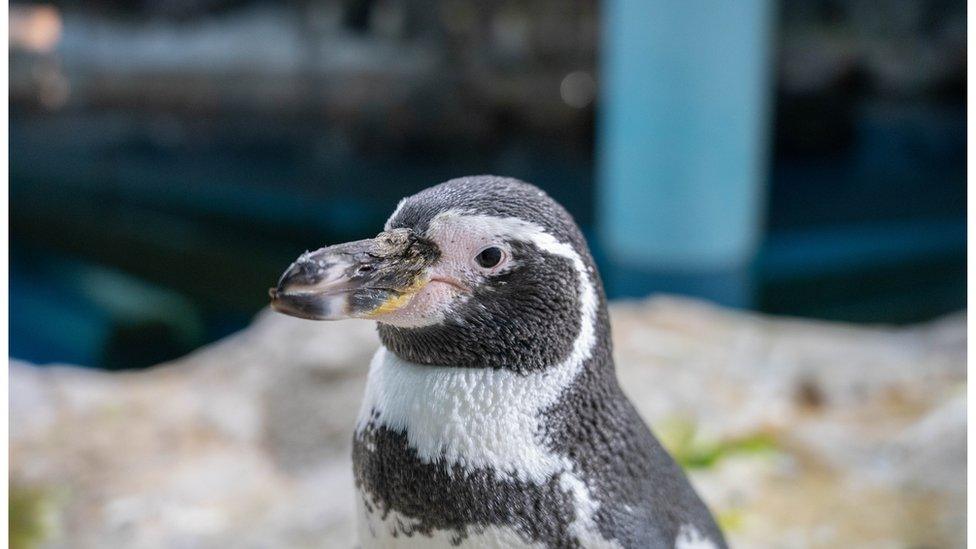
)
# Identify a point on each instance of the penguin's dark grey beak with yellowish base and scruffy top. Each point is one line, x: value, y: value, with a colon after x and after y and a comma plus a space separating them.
x: 361, y: 279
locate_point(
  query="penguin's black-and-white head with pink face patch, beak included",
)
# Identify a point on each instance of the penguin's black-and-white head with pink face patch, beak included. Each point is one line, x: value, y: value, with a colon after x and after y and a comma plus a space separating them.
x: 478, y: 271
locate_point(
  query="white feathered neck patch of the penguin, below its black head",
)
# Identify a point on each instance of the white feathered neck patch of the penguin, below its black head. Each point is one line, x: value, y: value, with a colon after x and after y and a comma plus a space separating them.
x: 480, y: 418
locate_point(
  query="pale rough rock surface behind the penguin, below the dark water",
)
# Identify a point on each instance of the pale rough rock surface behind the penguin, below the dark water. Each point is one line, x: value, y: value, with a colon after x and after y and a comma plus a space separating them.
x: 797, y: 433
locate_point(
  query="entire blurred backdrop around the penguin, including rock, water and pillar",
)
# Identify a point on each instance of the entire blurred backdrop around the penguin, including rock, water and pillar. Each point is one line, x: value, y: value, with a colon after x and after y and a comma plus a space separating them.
x: 731, y: 163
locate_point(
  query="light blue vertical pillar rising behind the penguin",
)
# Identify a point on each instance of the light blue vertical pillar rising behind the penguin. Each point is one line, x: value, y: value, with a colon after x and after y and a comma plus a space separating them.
x: 683, y: 138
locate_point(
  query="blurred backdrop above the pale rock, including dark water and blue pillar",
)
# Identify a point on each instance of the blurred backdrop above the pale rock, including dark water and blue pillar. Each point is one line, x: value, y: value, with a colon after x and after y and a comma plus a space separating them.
x: 168, y: 159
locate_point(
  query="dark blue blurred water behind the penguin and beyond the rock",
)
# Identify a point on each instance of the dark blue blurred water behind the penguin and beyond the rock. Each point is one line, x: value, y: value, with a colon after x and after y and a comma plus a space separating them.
x: 137, y: 237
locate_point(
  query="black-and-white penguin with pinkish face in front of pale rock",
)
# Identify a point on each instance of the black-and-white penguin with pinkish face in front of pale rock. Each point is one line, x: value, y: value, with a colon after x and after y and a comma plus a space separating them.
x: 492, y: 415
